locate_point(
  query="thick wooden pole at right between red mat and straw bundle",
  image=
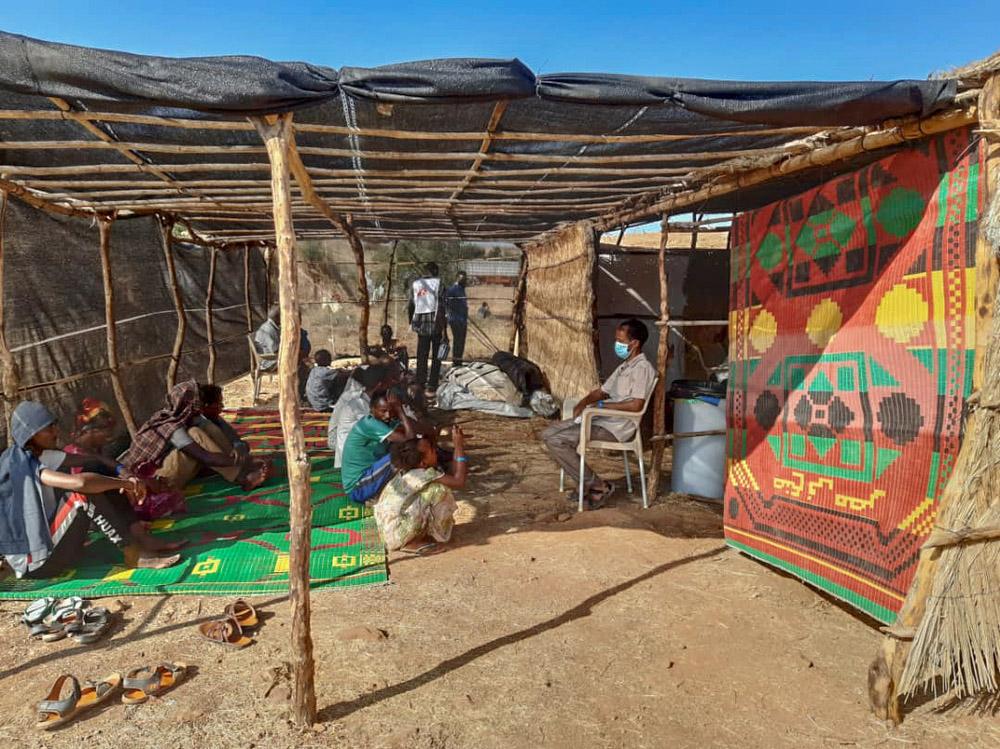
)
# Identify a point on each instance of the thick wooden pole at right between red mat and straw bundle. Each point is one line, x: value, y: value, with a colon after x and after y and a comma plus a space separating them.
x: 886, y: 671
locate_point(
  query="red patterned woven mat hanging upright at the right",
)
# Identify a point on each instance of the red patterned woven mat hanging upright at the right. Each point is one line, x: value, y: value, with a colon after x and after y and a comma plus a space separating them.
x: 852, y: 339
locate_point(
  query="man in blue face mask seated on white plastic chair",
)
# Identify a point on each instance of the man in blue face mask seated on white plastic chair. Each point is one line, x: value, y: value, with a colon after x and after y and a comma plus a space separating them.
x: 626, y: 389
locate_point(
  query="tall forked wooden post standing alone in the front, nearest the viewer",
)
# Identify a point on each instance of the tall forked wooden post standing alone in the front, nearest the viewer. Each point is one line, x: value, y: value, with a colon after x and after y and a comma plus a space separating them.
x: 276, y: 132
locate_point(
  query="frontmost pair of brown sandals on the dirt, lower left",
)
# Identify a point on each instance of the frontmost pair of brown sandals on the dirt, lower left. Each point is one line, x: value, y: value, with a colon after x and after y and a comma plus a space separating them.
x: 138, y: 686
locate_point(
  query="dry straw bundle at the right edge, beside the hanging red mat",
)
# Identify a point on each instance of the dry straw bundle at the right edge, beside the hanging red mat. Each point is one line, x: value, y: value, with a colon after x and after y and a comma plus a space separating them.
x: 957, y: 641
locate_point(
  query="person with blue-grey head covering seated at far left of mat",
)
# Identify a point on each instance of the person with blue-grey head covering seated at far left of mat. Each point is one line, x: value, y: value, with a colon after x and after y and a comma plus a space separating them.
x: 46, y: 515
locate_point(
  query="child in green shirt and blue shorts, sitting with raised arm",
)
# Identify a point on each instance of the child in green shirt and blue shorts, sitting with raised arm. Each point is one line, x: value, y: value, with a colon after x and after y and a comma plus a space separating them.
x: 365, y: 467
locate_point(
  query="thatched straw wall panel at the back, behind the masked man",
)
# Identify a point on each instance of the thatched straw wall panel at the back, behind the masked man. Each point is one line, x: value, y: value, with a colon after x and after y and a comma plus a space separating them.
x: 559, y: 322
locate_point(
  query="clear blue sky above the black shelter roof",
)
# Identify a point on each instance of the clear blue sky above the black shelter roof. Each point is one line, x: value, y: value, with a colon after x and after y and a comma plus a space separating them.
x: 763, y: 40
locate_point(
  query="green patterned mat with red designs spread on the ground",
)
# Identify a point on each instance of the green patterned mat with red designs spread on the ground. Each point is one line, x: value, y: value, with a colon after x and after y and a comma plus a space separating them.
x: 238, y: 540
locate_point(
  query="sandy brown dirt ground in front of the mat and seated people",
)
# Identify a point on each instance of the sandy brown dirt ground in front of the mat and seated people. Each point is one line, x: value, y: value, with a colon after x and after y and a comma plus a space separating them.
x: 537, y: 628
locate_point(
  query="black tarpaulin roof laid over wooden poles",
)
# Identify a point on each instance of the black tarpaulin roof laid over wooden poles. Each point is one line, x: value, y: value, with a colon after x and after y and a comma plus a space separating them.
x: 456, y: 148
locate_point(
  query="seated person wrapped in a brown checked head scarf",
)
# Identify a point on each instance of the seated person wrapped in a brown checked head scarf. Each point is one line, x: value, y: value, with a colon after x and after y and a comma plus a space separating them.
x: 177, y: 442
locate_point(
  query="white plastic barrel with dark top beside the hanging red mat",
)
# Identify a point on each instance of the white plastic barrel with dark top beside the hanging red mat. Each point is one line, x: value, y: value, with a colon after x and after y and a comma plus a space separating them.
x: 699, y: 462
